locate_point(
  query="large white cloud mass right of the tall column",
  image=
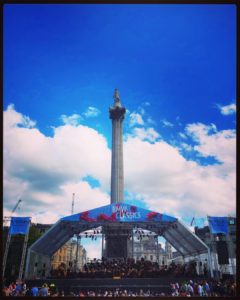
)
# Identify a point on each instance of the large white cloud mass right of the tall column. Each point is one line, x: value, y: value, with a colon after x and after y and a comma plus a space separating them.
x: 167, y: 182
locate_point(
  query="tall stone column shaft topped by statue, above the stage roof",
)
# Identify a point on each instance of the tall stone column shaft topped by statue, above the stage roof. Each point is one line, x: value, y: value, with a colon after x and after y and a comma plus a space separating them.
x: 117, y: 113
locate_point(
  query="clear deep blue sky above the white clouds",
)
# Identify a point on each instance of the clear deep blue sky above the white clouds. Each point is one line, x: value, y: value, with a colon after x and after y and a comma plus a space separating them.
x: 59, y: 59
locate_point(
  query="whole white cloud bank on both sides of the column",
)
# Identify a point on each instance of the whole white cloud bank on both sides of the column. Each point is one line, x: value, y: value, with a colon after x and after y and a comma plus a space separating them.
x: 45, y: 171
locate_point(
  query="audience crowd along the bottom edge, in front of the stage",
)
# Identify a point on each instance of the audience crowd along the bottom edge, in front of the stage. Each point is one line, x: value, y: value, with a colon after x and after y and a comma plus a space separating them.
x: 200, y: 288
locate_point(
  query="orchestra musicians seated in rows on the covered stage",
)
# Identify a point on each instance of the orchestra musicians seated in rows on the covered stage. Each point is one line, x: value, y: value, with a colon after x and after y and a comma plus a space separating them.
x: 125, y: 268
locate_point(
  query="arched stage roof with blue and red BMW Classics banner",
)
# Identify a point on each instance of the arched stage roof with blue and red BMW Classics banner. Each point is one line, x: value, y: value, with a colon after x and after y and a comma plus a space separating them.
x: 169, y: 227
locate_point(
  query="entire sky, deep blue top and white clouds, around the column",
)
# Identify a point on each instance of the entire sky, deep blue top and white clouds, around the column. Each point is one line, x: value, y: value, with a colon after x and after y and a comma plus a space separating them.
x: 175, y: 68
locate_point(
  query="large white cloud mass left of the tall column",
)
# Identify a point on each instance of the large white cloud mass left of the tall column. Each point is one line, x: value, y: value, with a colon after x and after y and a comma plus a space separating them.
x: 45, y: 171
